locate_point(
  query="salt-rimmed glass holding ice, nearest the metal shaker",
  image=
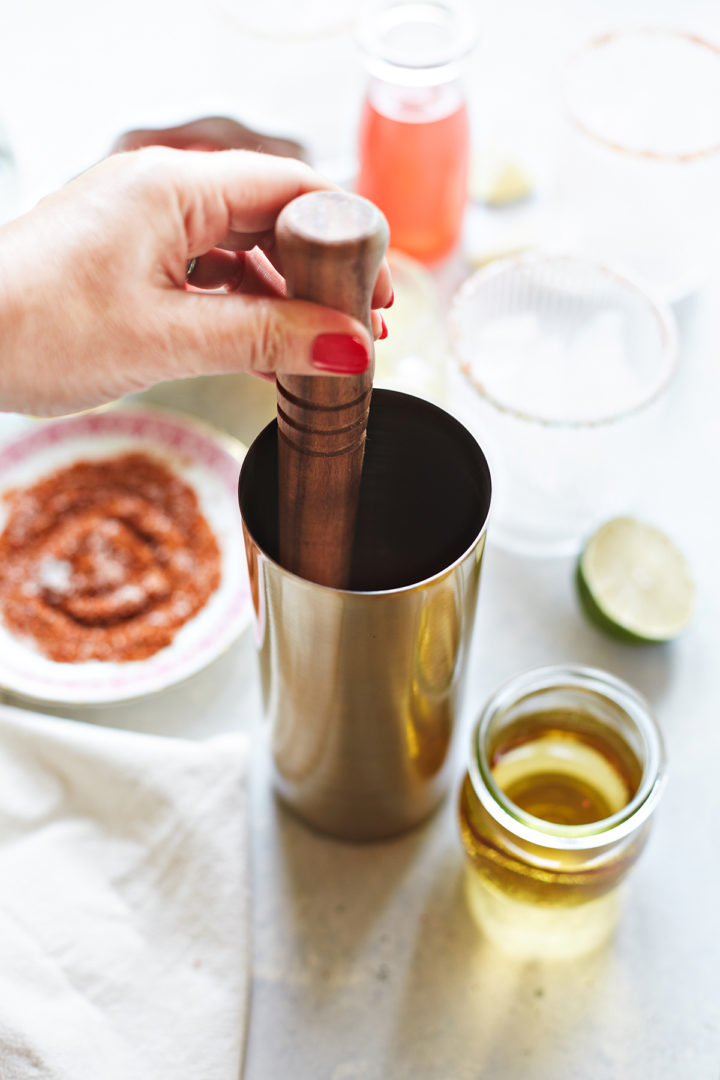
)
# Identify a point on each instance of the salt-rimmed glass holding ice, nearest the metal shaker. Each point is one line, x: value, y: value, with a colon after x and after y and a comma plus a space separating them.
x: 561, y: 368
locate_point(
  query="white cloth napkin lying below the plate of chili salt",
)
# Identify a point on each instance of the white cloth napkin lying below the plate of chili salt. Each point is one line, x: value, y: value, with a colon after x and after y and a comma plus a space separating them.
x: 124, y: 903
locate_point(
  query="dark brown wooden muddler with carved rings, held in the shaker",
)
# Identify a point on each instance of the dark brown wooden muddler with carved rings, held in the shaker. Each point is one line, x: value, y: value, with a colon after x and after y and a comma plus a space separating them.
x: 331, y: 248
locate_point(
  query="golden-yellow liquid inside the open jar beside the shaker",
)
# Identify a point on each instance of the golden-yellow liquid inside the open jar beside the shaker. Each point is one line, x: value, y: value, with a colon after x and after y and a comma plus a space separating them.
x: 564, y: 768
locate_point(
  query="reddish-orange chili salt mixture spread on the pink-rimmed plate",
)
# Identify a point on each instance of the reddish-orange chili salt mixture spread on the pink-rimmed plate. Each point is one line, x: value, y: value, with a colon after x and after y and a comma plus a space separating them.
x: 106, y: 560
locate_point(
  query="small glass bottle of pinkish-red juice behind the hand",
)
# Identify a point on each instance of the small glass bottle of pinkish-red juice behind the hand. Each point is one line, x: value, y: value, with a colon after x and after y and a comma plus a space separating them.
x: 414, y: 145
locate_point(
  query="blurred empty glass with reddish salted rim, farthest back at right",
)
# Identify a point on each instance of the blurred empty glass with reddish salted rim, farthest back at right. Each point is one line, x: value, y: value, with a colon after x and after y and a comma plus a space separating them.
x: 641, y: 166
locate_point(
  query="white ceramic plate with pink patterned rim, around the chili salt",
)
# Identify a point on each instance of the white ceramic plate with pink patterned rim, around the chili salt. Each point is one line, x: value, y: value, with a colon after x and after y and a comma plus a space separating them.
x: 210, y: 464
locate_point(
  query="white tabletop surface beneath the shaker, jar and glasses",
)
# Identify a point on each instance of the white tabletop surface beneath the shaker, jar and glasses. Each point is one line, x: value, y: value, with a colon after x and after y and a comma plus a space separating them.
x: 366, y: 964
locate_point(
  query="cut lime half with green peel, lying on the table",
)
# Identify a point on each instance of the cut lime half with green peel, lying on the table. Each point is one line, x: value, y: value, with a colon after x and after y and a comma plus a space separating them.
x: 634, y: 584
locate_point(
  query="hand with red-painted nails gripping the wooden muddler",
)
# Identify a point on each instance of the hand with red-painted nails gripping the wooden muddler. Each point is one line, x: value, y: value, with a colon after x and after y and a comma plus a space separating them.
x: 93, y: 298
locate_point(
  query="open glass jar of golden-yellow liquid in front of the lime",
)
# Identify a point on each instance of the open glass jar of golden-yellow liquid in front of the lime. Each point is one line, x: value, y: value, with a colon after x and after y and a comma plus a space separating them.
x: 566, y: 771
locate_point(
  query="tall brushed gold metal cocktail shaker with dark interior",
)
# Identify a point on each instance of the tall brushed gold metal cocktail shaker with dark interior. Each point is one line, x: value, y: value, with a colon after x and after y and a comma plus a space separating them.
x: 362, y: 686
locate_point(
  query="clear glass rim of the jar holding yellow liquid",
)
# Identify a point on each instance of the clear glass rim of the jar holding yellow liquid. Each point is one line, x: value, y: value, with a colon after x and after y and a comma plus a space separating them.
x: 552, y: 835
